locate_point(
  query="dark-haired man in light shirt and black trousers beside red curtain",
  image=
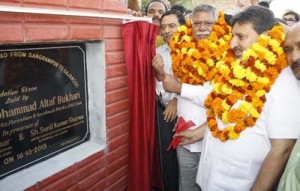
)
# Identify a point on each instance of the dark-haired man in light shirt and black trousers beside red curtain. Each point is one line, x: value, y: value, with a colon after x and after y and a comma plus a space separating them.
x: 167, y: 102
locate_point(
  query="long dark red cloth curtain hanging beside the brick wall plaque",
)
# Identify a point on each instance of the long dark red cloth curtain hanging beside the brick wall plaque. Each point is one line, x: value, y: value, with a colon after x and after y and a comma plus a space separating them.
x: 139, y: 46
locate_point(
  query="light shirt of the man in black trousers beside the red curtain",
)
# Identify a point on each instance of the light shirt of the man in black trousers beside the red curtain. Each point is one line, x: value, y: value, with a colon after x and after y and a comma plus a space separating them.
x: 165, y: 97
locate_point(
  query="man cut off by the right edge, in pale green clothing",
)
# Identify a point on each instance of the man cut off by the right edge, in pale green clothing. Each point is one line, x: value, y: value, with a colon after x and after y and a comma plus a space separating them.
x: 290, y: 179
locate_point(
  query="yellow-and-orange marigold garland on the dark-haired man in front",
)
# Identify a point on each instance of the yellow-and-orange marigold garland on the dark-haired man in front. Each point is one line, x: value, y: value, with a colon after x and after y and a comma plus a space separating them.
x: 247, y: 80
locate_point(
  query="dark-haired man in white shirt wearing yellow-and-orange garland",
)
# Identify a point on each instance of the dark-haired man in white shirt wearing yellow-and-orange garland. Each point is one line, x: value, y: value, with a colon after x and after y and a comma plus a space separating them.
x: 249, y: 149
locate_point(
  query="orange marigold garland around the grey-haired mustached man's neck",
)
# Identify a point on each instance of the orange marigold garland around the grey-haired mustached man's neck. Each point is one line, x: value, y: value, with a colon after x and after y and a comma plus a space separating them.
x: 194, y: 62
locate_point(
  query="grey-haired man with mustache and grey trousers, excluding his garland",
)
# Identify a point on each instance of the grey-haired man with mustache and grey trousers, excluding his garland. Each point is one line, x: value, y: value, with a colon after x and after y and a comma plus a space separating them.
x: 203, y: 19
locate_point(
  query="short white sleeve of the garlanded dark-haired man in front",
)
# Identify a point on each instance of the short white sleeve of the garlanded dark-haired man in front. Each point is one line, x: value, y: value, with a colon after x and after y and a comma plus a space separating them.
x: 282, y: 107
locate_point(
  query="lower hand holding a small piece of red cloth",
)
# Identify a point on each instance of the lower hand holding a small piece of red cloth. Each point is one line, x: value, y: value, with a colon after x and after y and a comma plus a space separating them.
x: 192, y: 136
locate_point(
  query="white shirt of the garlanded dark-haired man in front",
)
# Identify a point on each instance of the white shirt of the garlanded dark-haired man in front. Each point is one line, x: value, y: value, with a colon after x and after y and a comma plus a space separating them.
x: 234, y: 165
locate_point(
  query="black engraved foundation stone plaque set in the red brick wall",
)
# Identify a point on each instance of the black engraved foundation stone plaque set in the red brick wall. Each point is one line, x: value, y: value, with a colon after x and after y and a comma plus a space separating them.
x: 43, y: 99
